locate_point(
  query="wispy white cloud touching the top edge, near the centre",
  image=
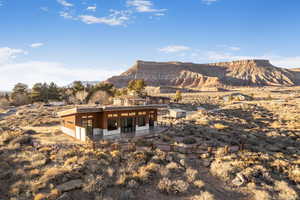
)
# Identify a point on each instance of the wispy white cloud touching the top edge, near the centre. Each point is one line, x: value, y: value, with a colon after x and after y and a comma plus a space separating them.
x: 143, y: 6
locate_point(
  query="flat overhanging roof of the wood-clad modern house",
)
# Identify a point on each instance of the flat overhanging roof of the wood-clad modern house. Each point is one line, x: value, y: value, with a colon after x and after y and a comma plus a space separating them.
x: 95, y: 109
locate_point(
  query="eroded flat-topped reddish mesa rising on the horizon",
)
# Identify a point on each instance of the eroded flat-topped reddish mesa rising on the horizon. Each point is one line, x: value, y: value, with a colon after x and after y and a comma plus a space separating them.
x: 235, y: 73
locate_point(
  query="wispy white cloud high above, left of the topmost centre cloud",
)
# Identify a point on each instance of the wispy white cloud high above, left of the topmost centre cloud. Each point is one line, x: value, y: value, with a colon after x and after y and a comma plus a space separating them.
x: 116, y: 18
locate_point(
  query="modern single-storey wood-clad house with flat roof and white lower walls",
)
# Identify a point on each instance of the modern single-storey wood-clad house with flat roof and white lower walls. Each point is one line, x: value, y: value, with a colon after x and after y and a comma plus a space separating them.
x: 94, y: 122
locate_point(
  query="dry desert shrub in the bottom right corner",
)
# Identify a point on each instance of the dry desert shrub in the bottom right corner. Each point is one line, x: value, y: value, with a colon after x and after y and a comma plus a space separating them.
x: 285, y: 191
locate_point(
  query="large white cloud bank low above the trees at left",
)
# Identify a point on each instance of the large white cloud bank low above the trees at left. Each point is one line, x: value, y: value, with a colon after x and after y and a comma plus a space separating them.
x: 36, y: 71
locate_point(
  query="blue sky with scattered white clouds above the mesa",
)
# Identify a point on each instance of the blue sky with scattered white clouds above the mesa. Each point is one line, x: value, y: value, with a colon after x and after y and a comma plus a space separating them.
x: 67, y: 40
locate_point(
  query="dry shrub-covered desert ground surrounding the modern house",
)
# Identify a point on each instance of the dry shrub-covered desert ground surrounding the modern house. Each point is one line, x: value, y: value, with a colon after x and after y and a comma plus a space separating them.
x: 245, y: 146
